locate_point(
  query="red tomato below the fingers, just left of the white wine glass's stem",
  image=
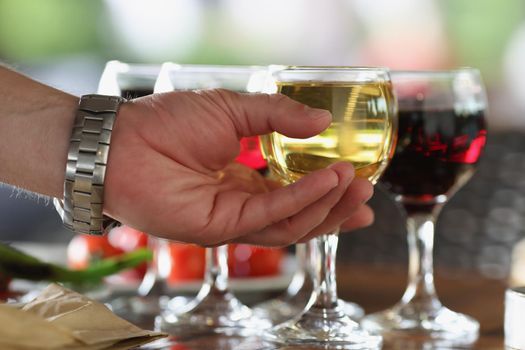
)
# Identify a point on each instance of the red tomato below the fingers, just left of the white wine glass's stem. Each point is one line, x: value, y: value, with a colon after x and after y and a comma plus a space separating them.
x: 250, y: 261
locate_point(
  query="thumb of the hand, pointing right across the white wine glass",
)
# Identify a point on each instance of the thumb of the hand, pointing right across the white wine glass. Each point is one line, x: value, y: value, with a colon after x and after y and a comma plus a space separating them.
x: 259, y: 114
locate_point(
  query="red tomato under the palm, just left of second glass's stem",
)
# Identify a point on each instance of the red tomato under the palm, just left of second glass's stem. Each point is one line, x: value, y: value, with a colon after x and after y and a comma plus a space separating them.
x: 187, y: 262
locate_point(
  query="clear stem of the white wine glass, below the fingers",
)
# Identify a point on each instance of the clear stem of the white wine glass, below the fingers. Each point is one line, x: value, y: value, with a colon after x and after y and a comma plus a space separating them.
x: 324, y: 254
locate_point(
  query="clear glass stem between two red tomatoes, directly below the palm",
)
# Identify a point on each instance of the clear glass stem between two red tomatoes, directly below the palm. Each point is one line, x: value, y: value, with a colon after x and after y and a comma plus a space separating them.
x: 216, y: 275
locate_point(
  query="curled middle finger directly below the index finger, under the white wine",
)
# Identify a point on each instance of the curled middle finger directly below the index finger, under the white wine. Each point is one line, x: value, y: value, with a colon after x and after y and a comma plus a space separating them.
x: 291, y: 229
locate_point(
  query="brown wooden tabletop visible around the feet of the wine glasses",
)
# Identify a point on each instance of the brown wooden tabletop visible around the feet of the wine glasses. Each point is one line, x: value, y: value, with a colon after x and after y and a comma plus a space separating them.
x: 376, y: 288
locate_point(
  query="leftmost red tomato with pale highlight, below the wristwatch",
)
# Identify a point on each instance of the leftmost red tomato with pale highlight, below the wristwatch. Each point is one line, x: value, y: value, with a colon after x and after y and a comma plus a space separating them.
x: 84, y: 249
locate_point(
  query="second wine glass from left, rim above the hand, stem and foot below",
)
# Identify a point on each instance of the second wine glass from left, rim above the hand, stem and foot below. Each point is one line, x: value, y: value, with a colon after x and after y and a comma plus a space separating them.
x: 215, y: 309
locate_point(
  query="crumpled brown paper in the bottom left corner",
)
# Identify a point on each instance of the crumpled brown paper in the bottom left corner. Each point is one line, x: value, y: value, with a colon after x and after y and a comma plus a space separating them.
x: 62, y: 319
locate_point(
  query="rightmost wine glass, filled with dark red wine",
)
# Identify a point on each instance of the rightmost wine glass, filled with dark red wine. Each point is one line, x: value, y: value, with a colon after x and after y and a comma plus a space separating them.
x: 441, y: 136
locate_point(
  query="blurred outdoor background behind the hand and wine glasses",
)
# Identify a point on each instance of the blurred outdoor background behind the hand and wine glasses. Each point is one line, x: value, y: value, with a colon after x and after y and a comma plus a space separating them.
x: 66, y: 44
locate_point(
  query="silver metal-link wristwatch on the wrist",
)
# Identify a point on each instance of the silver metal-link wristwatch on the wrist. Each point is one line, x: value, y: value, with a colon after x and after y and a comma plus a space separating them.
x: 81, y: 209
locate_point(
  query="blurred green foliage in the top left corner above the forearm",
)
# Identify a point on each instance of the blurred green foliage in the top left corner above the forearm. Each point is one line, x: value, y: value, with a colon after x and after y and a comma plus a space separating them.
x: 38, y: 29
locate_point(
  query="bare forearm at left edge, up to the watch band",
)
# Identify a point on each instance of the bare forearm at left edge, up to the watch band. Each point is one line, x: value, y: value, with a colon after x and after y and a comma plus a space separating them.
x: 35, y: 126
